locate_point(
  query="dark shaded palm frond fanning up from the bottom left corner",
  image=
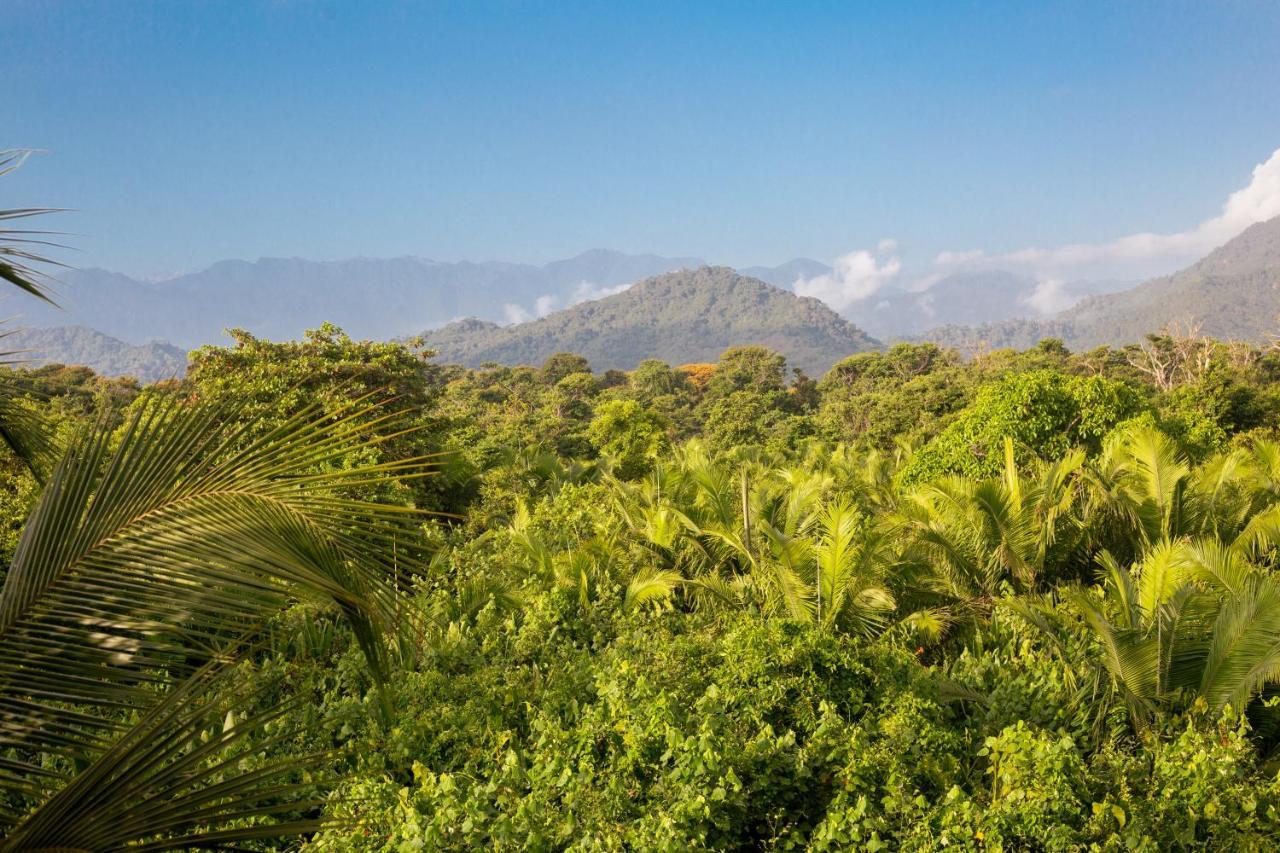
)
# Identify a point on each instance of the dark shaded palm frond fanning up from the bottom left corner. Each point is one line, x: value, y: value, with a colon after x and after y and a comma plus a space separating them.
x: 173, y: 779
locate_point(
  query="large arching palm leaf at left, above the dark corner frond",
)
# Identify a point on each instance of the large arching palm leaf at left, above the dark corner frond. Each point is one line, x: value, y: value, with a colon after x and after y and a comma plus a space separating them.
x: 153, y: 553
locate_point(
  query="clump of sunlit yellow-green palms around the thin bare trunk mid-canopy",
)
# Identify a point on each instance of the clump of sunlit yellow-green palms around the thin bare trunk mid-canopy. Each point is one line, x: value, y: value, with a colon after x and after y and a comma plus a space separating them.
x: 779, y: 541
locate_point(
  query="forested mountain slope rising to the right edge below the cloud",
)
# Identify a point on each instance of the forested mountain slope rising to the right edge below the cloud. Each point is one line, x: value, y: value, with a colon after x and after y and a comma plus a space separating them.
x: 1233, y: 293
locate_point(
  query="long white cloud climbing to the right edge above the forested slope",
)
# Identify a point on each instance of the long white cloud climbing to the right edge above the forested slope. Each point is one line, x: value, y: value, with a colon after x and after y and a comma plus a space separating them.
x: 1145, y: 254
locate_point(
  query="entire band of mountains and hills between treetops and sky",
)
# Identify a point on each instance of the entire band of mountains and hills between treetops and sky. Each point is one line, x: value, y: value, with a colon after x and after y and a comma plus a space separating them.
x: 515, y: 312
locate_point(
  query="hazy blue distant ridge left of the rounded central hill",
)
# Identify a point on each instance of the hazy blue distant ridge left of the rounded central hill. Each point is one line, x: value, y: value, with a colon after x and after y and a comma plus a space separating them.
x: 369, y: 298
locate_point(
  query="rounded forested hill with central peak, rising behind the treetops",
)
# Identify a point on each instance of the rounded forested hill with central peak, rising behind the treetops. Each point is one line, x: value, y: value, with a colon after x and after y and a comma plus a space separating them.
x: 684, y: 317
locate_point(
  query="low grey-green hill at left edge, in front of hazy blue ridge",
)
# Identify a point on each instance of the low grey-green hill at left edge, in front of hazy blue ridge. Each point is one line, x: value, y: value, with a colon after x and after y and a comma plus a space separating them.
x: 106, y: 355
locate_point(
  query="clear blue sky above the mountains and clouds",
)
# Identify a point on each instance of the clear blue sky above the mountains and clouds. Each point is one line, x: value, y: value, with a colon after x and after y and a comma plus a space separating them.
x: 744, y: 134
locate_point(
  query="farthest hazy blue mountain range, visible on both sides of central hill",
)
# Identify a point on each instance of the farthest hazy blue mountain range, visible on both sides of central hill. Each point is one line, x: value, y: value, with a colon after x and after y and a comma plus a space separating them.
x: 381, y: 299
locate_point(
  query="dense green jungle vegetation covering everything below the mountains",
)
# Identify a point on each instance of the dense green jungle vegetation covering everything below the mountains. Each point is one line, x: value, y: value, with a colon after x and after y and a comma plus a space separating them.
x: 340, y: 594
